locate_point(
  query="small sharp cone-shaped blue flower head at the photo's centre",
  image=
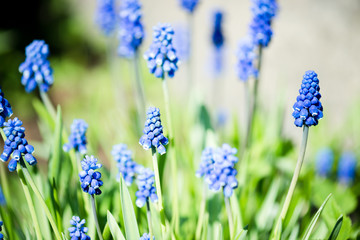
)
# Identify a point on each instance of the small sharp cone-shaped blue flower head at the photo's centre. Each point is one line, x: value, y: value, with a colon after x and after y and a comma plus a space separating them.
x: 153, y: 132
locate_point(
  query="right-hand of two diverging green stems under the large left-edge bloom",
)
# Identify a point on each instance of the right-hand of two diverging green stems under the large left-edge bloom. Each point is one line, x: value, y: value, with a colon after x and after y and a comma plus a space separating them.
x: 40, y: 198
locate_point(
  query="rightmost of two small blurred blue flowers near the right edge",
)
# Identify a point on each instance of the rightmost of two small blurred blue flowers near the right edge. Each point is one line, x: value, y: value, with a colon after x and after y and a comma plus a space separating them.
x: 347, y: 168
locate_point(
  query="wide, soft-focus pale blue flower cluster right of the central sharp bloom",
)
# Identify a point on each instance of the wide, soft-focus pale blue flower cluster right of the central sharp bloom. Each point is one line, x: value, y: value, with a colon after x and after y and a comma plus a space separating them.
x: 217, y: 167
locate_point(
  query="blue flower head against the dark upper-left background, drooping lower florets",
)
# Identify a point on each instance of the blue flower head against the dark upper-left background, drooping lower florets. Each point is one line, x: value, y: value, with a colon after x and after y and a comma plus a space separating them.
x: 36, y: 70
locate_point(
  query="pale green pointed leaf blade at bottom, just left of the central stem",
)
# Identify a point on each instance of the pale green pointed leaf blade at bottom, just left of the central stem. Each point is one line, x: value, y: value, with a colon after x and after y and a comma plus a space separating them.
x: 131, y: 227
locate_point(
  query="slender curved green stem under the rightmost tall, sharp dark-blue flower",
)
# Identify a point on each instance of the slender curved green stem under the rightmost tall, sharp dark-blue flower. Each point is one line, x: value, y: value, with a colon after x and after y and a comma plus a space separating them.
x: 294, y: 178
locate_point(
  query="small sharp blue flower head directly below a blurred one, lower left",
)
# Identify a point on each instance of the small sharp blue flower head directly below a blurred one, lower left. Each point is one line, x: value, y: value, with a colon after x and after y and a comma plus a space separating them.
x: 89, y: 178
